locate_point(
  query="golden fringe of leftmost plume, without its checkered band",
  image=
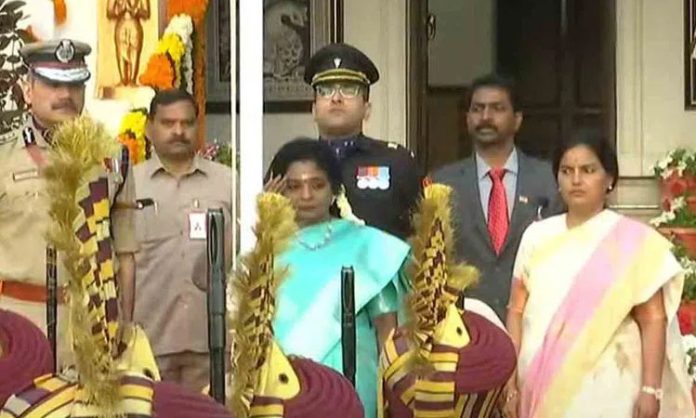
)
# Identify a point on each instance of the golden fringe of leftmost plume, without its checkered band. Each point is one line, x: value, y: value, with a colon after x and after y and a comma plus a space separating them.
x: 79, y: 149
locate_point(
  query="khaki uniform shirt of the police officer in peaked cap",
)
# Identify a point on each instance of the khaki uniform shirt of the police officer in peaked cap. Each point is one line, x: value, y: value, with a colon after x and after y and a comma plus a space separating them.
x: 24, y: 218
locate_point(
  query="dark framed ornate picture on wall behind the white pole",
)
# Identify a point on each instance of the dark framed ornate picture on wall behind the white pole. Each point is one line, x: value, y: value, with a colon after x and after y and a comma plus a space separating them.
x: 293, y: 30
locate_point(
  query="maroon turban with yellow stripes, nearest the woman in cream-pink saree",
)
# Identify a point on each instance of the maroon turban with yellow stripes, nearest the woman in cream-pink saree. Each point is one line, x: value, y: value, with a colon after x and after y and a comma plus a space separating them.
x: 466, y: 382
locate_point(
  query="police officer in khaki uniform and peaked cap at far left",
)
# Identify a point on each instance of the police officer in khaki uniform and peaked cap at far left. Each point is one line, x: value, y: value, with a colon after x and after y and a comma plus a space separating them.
x: 55, y: 90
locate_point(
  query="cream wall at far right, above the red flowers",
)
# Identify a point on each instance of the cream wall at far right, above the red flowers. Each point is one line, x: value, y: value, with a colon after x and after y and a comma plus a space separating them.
x: 651, y: 119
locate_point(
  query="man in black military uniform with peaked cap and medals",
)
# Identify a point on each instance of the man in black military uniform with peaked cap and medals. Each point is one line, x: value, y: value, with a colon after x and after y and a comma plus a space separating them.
x: 382, y: 179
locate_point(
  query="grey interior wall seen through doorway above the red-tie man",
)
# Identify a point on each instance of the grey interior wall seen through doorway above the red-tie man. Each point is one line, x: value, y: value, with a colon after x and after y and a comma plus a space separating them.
x: 464, y: 43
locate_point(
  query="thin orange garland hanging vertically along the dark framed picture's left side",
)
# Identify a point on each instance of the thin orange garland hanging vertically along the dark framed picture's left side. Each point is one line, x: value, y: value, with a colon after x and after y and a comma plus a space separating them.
x: 197, y: 10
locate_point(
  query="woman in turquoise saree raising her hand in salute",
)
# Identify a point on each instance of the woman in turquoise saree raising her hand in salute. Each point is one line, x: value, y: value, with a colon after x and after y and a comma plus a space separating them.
x: 308, y: 316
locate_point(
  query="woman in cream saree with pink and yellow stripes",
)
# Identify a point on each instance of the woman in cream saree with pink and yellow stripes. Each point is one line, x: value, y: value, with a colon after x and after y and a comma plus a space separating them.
x: 593, y: 305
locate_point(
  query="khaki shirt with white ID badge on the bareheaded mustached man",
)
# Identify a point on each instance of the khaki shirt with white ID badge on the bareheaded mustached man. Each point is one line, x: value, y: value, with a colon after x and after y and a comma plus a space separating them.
x: 171, y: 267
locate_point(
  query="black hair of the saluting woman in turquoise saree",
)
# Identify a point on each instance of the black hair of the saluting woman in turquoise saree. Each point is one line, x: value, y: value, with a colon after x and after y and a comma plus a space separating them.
x: 307, y: 149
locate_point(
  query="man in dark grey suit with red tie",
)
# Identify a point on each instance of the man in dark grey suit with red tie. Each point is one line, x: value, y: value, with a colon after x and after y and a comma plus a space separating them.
x: 498, y: 191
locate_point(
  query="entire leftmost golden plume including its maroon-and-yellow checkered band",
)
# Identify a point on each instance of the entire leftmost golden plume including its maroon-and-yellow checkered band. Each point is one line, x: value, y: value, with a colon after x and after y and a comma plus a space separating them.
x: 80, y: 214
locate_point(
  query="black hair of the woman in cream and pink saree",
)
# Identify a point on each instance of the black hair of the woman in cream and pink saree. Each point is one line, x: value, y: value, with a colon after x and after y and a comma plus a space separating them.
x: 597, y: 143
